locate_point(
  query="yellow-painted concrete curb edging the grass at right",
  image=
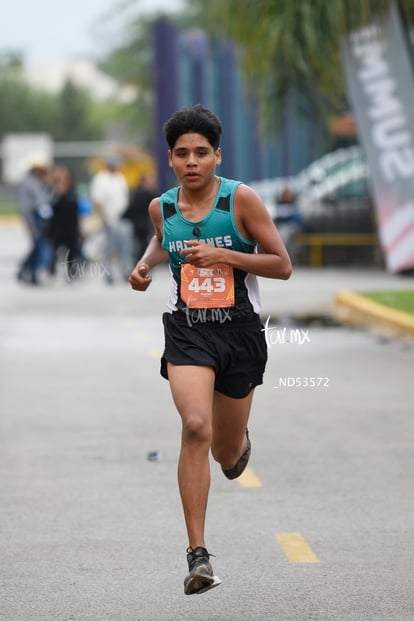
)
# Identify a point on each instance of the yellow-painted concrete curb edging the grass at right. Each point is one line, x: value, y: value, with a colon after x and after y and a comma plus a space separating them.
x: 358, y: 310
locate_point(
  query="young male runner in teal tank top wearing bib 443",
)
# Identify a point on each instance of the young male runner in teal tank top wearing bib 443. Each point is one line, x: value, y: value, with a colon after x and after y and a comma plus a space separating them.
x: 217, y: 236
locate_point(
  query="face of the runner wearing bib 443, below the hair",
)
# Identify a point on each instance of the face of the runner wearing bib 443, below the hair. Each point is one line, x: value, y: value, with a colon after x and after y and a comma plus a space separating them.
x: 194, y: 160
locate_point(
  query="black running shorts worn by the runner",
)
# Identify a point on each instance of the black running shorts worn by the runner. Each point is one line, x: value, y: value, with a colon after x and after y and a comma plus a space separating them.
x: 236, y: 351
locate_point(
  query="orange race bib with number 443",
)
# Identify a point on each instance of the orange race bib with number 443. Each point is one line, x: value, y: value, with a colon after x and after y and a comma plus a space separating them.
x: 207, y: 287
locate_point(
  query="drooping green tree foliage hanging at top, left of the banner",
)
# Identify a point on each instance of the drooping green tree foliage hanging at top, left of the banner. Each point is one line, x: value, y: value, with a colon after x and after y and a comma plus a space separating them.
x: 292, y: 44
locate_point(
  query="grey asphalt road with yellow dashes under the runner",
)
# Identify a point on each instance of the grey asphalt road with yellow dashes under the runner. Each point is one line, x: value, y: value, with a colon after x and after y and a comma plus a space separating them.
x: 91, y: 530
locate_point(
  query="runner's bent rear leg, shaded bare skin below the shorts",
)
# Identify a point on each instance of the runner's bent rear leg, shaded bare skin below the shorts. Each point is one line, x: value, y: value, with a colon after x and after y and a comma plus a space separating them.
x: 230, y: 418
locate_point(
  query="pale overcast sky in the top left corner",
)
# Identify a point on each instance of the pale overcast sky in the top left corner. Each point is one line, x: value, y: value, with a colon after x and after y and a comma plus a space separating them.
x: 47, y: 30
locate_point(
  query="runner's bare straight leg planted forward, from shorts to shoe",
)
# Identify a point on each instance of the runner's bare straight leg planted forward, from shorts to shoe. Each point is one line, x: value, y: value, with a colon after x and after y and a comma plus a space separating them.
x: 192, y: 388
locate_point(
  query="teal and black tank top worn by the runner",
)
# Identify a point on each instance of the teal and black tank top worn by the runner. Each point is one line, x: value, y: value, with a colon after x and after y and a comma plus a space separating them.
x: 217, y: 228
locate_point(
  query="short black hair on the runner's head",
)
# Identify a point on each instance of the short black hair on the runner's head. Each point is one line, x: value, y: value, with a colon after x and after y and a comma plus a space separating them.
x: 197, y: 120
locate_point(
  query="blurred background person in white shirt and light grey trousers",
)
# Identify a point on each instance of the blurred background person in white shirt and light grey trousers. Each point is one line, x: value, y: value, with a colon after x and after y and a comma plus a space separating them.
x: 110, y: 195
